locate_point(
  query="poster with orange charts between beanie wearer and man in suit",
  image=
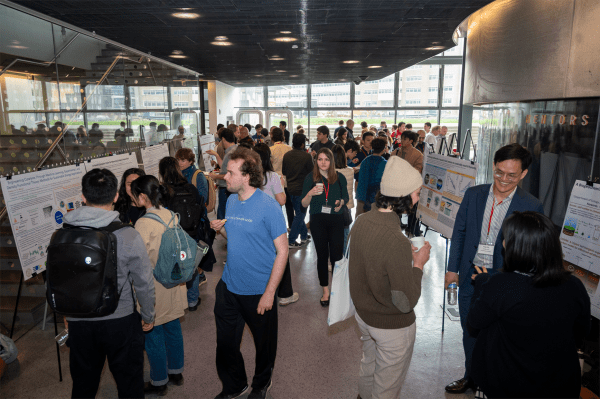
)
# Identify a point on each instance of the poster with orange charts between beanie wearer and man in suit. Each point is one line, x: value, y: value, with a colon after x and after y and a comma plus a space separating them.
x: 445, y: 180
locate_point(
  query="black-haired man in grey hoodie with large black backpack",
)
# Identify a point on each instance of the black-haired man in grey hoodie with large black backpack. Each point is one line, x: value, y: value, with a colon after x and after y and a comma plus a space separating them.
x: 95, y: 252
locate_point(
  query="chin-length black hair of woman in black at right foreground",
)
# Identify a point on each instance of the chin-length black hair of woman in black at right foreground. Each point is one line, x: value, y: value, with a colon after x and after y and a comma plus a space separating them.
x: 532, y: 245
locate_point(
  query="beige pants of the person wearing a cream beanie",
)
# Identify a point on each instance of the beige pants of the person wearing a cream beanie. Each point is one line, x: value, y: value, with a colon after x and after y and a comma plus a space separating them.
x: 385, y: 361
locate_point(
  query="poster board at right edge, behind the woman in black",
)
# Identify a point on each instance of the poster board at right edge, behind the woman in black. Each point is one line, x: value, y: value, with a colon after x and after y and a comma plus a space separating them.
x: 580, y: 238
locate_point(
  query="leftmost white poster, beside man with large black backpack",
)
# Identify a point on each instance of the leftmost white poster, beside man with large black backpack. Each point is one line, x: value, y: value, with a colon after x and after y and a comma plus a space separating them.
x: 36, y: 204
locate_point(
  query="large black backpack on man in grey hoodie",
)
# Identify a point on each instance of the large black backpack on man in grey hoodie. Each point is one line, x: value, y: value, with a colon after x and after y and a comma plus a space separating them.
x: 81, y: 271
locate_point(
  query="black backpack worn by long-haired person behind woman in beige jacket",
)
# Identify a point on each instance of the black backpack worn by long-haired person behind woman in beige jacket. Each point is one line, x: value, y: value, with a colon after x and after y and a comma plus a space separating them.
x: 183, y: 202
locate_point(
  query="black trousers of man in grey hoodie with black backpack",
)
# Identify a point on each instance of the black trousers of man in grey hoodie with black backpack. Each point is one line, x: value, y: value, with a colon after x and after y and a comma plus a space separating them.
x: 119, y: 340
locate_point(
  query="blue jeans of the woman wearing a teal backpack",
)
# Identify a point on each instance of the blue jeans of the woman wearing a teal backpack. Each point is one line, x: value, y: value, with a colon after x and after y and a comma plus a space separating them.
x: 164, y: 346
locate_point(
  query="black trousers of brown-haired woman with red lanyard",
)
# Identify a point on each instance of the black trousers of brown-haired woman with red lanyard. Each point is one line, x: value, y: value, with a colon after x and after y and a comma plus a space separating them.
x: 328, y: 236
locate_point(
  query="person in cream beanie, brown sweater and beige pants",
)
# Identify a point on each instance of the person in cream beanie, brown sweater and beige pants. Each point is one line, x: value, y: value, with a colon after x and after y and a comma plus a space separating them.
x: 385, y: 273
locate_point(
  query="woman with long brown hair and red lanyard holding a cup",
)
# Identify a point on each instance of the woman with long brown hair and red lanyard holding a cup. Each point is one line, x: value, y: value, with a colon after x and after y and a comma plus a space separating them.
x: 325, y: 190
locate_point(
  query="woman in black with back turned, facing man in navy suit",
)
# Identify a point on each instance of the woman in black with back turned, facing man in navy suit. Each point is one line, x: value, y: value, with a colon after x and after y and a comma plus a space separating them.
x: 528, y: 319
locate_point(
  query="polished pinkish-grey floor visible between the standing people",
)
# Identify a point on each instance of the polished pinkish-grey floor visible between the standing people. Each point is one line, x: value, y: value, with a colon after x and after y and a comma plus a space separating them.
x: 313, y: 361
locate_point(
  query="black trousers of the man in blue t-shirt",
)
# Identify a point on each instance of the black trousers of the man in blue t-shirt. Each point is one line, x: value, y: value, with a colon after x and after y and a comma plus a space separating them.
x: 232, y: 313
